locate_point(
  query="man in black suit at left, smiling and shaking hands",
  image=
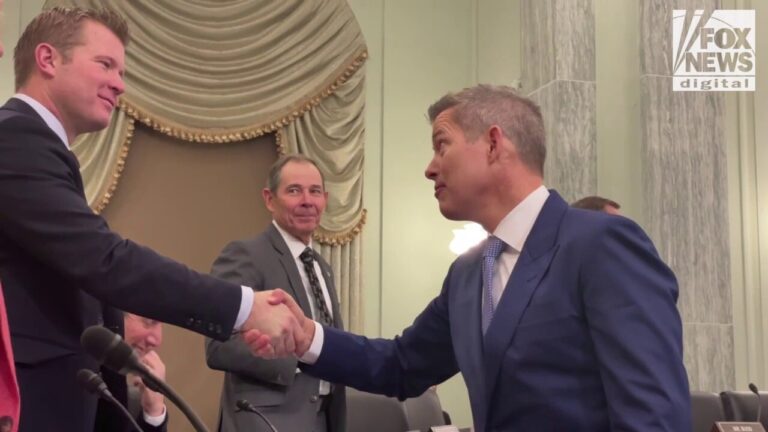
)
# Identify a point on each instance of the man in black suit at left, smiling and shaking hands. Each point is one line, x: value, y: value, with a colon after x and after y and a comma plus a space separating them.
x: 62, y: 268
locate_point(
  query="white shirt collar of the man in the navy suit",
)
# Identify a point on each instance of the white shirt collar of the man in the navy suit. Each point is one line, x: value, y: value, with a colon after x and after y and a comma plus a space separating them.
x: 517, y: 224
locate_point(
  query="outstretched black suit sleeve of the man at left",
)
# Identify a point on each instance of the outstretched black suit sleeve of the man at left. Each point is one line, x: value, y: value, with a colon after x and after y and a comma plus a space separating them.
x: 45, y: 213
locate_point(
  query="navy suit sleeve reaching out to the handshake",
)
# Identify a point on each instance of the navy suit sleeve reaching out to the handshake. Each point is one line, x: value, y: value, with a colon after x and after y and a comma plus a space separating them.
x: 402, y: 367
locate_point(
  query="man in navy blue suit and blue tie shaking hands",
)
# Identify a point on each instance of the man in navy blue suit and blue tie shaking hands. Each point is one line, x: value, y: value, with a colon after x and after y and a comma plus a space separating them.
x: 575, y: 327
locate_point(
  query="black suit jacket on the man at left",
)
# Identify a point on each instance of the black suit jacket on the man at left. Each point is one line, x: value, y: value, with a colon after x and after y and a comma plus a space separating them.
x: 60, y: 263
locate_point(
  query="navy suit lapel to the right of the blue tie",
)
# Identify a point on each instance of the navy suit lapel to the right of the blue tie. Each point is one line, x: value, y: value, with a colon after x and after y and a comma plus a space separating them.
x: 535, y: 258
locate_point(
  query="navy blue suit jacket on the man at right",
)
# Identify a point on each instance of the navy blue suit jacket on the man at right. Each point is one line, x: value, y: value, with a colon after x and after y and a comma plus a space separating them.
x: 586, y: 336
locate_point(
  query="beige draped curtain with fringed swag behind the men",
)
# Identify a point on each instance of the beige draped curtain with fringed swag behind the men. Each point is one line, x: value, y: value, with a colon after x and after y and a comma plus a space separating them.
x: 218, y: 72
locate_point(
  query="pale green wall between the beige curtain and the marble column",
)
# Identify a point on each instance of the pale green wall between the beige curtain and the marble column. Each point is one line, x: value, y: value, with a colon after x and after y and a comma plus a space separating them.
x: 419, y: 50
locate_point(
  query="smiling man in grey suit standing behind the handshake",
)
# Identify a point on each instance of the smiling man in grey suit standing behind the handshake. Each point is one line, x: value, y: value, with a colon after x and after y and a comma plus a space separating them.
x: 281, y: 256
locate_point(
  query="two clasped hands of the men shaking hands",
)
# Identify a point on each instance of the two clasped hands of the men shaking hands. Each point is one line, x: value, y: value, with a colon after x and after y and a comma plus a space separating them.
x: 277, y: 326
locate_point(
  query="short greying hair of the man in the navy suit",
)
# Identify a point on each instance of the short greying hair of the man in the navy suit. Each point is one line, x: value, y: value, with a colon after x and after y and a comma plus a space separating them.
x: 475, y: 109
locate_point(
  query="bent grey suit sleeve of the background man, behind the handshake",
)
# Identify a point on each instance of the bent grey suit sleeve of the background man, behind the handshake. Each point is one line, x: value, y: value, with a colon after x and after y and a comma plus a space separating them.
x: 236, y: 265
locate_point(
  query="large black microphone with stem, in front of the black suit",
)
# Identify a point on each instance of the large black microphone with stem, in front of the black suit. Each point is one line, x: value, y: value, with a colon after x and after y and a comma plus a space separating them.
x: 110, y: 350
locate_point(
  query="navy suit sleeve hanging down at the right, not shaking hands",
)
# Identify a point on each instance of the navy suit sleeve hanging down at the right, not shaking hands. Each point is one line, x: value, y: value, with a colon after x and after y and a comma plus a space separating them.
x: 629, y: 296
